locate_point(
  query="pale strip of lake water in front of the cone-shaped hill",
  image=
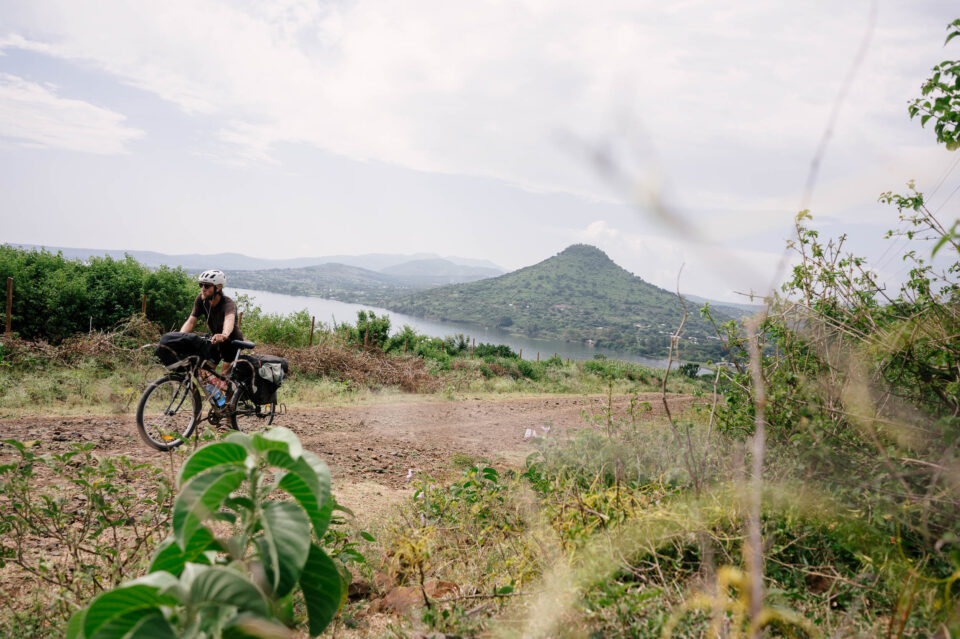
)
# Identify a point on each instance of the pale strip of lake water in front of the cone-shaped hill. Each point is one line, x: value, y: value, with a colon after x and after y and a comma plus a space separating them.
x: 329, y: 311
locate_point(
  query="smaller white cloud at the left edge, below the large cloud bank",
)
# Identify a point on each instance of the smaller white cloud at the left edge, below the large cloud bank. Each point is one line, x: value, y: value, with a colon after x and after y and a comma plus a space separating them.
x: 34, y: 115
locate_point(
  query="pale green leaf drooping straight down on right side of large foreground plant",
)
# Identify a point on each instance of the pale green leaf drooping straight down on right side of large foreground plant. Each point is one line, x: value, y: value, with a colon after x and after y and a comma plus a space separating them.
x: 284, y: 545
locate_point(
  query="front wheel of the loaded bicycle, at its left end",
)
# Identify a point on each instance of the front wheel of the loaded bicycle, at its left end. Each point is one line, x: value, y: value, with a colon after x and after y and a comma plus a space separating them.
x: 168, y: 412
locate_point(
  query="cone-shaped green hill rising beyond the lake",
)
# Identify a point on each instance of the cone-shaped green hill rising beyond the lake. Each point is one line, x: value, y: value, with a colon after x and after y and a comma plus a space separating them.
x: 578, y: 295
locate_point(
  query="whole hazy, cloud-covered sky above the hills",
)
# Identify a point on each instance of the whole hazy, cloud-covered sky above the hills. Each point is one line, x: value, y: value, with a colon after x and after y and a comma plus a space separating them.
x: 500, y: 130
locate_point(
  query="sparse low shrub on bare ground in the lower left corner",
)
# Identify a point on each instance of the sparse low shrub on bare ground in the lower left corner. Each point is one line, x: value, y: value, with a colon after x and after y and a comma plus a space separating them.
x: 91, y: 503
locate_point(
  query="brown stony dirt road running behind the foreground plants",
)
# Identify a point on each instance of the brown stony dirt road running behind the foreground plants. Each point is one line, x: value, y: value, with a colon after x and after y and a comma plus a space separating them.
x: 374, y: 443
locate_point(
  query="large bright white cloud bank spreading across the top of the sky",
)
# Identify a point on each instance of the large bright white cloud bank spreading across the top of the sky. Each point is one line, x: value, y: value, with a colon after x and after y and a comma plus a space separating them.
x: 484, y: 88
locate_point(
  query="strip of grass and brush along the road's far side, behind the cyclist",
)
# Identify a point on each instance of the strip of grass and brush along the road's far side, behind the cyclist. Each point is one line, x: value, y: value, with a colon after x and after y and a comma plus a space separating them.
x: 105, y: 371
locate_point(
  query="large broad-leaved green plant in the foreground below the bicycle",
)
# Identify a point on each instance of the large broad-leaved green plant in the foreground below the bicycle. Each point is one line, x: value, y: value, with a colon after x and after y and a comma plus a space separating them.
x: 236, y: 555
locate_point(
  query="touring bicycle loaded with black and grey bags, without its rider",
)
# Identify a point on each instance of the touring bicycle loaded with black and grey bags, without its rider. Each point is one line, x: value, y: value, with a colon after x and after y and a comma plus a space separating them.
x: 171, y: 408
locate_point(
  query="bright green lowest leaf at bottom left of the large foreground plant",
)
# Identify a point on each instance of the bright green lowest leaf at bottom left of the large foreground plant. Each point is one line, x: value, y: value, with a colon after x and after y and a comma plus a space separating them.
x: 117, y: 611
